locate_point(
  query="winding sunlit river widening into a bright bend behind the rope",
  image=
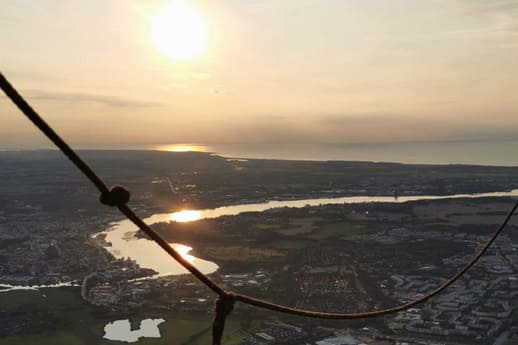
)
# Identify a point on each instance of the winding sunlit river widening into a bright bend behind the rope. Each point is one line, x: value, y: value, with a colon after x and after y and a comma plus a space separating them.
x: 147, y: 253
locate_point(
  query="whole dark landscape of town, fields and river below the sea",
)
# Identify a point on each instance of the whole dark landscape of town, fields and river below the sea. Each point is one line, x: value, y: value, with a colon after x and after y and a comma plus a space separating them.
x: 352, y: 256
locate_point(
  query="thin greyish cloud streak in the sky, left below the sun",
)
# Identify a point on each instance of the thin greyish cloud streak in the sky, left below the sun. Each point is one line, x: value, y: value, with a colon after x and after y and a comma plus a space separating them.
x: 88, y: 98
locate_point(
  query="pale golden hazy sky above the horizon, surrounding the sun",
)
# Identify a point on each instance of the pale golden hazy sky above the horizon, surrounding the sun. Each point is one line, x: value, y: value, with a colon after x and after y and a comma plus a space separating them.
x: 273, y: 71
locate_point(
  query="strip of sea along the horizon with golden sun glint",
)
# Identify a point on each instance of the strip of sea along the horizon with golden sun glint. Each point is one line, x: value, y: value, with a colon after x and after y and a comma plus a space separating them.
x: 477, y: 152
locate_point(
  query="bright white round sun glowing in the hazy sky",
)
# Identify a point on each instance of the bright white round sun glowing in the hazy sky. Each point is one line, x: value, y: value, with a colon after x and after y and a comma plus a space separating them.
x: 179, y: 31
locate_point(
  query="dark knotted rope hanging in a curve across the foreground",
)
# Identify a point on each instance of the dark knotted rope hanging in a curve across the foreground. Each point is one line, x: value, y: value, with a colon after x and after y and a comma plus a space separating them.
x: 119, y: 196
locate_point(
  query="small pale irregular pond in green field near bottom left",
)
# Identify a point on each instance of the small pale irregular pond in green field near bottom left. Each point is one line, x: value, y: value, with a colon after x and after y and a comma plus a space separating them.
x: 121, y: 330
